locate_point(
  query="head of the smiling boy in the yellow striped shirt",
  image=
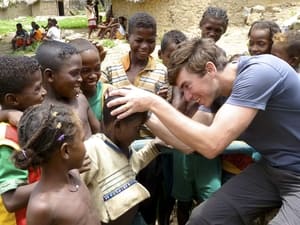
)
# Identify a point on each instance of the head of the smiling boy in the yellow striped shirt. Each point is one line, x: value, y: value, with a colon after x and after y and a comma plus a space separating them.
x: 141, y: 35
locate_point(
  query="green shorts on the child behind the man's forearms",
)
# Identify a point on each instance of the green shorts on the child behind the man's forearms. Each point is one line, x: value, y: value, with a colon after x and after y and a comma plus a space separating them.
x: 195, y: 177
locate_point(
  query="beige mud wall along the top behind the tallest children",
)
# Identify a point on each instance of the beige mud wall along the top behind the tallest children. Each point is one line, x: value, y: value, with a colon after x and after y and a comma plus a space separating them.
x: 185, y: 15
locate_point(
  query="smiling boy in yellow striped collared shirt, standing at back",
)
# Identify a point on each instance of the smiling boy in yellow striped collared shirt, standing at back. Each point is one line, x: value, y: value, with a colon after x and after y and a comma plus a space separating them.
x: 139, y: 68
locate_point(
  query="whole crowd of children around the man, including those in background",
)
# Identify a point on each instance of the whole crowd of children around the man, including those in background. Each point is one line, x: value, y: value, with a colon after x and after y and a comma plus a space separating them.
x: 64, y: 125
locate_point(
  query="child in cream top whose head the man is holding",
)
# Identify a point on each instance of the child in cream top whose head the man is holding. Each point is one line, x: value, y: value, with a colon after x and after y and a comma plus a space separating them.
x: 111, y: 179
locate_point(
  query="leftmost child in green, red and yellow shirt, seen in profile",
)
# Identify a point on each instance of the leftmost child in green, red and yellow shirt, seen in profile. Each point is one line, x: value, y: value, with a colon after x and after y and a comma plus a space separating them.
x: 20, y: 87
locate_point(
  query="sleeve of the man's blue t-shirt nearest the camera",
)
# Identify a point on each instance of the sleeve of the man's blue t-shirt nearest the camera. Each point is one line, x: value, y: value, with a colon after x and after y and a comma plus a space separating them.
x: 254, y: 86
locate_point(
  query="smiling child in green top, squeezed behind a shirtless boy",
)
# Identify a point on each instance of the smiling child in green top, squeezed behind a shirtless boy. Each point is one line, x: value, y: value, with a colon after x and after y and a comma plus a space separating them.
x: 91, y: 87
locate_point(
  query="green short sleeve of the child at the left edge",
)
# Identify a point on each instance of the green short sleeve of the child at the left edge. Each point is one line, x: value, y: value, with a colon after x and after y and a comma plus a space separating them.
x: 10, y: 176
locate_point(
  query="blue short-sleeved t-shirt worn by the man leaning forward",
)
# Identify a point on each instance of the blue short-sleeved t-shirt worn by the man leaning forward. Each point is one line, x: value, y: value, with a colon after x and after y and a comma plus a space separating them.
x: 270, y: 85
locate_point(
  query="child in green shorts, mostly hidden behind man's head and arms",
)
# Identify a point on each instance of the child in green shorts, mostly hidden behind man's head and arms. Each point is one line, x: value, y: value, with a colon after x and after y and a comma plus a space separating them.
x: 195, y: 177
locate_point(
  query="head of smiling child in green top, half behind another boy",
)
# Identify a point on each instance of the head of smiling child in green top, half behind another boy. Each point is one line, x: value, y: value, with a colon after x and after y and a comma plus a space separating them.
x: 91, y: 65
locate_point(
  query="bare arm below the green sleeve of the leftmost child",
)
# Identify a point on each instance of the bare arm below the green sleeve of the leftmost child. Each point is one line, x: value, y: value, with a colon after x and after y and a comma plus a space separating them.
x: 18, y: 198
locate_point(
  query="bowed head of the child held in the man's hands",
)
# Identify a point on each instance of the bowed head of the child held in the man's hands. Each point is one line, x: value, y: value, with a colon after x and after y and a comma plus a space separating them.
x: 124, y: 131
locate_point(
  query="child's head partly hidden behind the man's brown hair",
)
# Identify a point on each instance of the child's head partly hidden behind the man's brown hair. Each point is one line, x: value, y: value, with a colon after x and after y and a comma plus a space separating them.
x: 169, y: 43
